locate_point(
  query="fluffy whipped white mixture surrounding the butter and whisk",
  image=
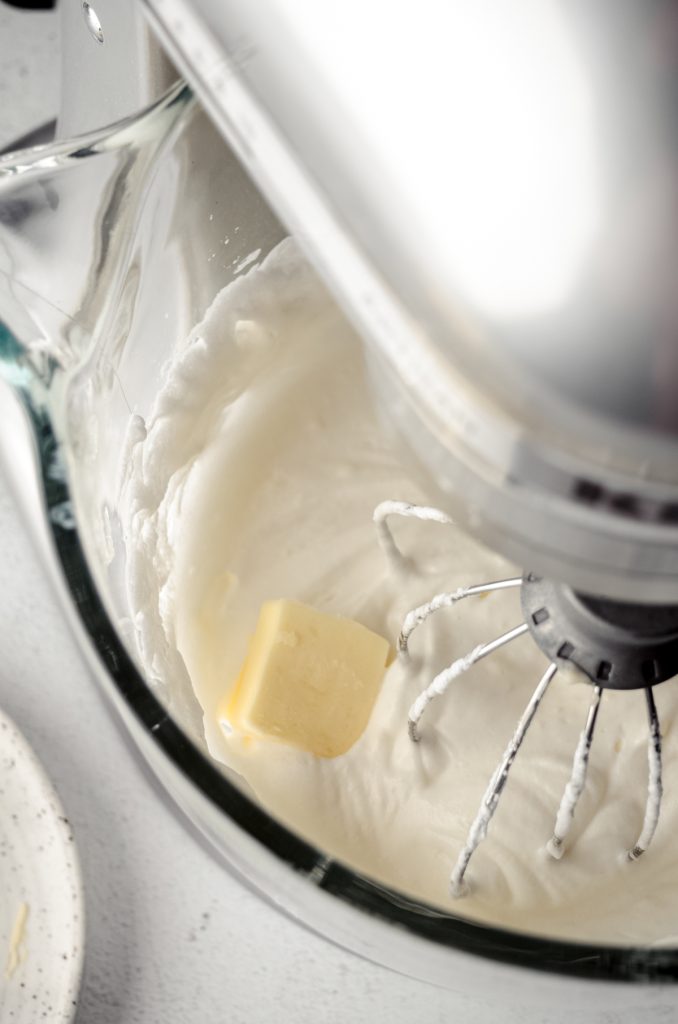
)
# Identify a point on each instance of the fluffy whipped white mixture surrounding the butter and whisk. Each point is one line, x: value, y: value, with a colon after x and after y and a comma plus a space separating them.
x: 257, y: 479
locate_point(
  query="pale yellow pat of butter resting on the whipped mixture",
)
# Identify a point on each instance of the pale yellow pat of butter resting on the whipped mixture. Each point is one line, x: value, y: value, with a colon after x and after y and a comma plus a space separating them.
x: 310, y: 679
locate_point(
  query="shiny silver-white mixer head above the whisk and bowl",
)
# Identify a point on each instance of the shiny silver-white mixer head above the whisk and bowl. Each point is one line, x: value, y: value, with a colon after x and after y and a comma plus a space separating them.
x: 491, y: 194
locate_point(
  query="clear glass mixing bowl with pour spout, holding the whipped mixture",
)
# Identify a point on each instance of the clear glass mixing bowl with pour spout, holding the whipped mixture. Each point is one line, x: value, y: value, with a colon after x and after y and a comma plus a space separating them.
x: 112, y: 247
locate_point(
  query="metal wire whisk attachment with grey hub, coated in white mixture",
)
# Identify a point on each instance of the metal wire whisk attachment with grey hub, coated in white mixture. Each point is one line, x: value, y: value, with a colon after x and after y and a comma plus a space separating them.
x: 616, y: 646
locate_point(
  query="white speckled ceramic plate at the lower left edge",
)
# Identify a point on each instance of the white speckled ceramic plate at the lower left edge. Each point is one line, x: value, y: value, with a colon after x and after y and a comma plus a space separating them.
x: 41, y: 897
